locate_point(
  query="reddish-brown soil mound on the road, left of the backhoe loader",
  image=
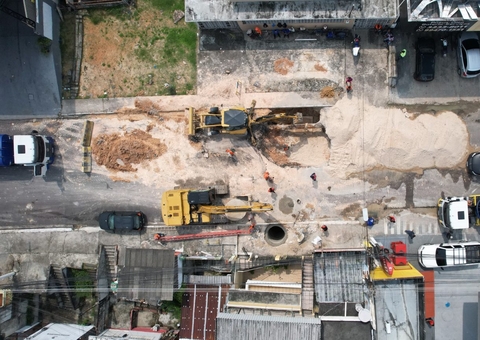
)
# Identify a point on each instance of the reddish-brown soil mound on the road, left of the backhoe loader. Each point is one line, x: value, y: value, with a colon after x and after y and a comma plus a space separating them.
x: 118, y: 152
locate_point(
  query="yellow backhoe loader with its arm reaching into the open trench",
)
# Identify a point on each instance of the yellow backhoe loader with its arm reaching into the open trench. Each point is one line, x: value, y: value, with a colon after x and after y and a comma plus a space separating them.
x: 235, y: 120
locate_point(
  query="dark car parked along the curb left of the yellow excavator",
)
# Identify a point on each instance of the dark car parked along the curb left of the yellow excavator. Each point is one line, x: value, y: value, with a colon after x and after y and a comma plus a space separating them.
x: 122, y: 220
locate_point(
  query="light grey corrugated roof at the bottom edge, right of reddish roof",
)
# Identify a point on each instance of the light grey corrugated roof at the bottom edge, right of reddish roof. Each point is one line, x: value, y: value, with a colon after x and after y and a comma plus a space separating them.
x: 254, y: 327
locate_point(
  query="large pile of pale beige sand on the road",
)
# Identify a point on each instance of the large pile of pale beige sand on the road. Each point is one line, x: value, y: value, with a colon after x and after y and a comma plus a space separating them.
x: 391, y: 138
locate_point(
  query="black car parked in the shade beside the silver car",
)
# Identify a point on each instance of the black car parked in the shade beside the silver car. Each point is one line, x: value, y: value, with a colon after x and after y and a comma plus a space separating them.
x: 425, y: 60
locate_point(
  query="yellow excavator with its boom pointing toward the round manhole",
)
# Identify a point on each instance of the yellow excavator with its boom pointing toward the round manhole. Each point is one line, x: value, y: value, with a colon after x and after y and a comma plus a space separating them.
x: 187, y: 206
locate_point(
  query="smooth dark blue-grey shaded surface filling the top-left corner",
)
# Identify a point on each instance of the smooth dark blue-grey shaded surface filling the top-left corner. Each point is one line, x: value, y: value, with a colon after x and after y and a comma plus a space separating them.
x: 29, y: 80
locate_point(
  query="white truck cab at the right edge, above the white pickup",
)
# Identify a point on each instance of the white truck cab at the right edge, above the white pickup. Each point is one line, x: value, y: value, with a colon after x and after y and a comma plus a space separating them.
x: 459, y: 212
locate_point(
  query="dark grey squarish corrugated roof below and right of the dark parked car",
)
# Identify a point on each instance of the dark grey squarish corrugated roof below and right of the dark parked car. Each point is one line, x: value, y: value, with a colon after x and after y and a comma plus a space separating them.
x: 148, y: 274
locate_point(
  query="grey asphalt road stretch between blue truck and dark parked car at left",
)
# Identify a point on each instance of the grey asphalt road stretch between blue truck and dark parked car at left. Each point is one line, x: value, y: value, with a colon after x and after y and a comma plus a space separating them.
x: 68, y: 197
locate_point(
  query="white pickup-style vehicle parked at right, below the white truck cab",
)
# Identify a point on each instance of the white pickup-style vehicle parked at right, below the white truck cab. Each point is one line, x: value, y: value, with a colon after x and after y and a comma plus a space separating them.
x: 449, y: 254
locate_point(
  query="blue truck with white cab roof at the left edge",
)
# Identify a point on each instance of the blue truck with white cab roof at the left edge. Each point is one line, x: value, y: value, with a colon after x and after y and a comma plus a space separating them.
x: 33, y: 150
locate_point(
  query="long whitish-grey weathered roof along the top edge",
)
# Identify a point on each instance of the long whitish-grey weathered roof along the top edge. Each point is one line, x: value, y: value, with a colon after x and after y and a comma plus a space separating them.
x: 220, y: 10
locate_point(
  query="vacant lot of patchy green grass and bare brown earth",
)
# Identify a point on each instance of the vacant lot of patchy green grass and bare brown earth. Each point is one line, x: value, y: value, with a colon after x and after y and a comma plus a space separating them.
x: 124, y: 58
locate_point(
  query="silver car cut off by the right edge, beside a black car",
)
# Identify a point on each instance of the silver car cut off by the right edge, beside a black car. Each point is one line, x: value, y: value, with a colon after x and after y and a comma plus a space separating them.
x: 468, y: 55
